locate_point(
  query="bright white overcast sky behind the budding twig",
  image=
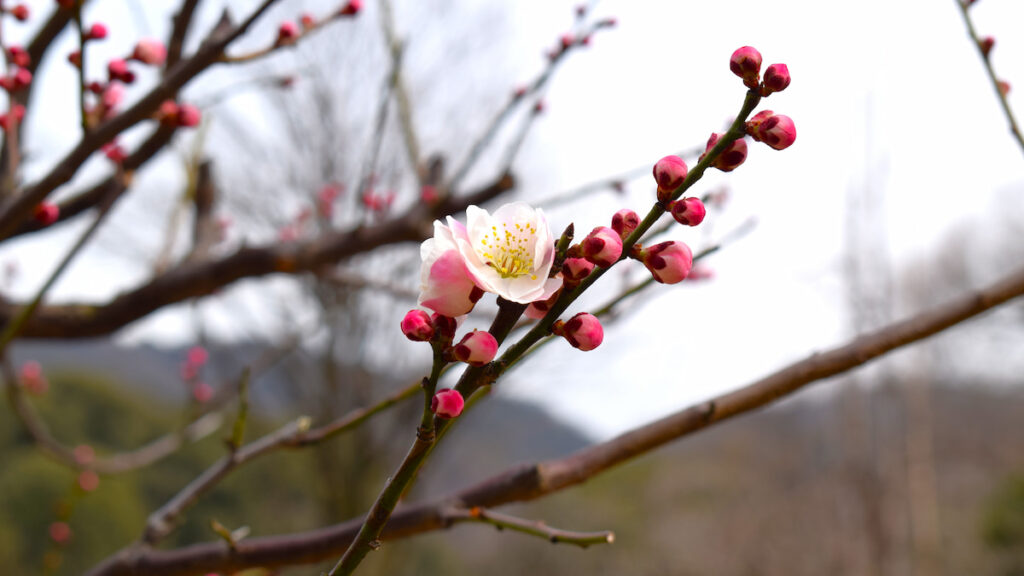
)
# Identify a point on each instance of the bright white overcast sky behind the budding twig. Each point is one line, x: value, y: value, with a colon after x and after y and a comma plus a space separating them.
x: 660, y: 83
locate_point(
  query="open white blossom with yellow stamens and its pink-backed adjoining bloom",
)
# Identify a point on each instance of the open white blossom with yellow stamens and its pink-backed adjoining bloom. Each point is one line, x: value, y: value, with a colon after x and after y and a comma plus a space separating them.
x: 509, y: 254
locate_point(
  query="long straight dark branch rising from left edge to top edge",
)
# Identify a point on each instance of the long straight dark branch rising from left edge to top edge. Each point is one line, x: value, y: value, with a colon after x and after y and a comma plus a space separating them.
x: 15, y: 211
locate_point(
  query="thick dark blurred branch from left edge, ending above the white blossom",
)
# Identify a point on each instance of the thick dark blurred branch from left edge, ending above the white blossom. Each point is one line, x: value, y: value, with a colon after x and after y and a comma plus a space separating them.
x: 192, y: 280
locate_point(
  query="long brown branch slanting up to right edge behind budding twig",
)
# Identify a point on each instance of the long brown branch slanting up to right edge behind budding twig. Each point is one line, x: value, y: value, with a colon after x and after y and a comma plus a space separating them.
x: 533, y: 481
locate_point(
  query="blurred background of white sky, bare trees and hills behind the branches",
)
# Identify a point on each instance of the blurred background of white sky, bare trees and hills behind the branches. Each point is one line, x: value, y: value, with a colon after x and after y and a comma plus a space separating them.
x: 904, y: 189
